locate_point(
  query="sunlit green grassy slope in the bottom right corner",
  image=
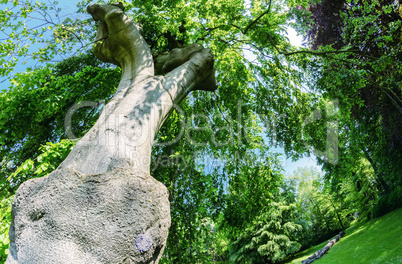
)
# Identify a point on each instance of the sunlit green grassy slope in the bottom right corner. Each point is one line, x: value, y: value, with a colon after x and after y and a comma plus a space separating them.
x: 380, y: 243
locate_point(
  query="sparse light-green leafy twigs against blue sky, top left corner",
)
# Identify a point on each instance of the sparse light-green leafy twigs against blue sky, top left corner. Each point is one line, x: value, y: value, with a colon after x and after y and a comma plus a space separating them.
x: 37, y: 31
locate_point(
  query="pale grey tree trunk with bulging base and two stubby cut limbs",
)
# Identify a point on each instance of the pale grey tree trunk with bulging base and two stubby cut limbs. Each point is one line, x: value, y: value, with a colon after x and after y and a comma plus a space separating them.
x: 101, y: 205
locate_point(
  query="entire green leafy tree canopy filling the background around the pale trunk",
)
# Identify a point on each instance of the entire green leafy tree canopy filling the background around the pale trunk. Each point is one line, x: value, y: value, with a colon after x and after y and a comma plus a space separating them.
x: 339, y: 97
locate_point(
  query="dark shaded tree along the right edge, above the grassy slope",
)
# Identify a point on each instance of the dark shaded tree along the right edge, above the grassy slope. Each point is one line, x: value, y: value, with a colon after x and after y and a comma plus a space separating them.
x: 365, y: 80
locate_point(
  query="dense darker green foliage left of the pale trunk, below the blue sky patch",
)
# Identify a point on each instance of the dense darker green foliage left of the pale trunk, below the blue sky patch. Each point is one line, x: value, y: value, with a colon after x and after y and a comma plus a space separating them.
x: 44, y: 96
